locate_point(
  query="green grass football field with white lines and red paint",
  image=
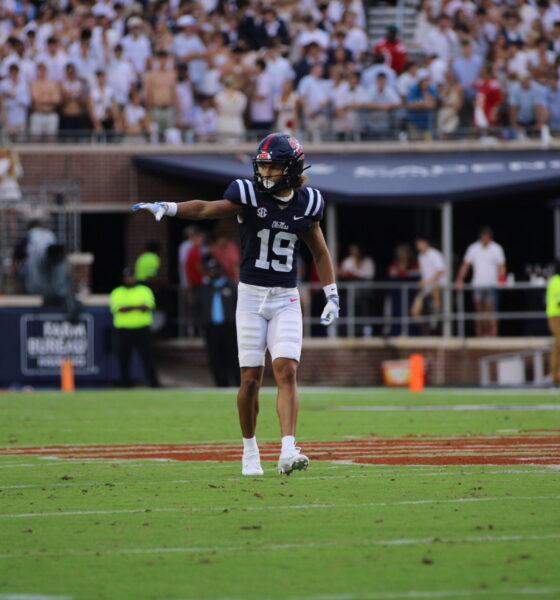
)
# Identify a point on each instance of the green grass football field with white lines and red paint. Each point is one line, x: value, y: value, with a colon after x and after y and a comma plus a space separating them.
x: 394, y: 508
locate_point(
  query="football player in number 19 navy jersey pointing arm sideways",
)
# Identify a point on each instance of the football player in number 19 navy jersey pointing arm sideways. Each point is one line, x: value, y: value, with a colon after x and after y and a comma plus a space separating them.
x: 275, y: 213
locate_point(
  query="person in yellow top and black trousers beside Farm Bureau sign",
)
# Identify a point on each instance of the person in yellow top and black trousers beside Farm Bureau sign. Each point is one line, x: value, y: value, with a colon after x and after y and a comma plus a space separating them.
x: 132, y: 305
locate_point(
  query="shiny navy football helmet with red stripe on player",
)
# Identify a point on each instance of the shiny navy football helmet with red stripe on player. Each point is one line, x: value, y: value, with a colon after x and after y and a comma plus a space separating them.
x: 279, y: 148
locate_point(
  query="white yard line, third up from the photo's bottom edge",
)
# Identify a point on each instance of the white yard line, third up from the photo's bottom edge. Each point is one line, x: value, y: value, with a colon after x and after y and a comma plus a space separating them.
x: 81, y: 513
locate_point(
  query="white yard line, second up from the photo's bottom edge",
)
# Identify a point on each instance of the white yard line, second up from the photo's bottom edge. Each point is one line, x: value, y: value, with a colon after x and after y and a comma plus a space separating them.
x: 271, y: 547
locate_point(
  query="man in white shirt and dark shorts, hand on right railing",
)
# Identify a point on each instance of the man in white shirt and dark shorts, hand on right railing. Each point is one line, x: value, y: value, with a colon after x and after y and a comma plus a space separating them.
x: 488, y: 263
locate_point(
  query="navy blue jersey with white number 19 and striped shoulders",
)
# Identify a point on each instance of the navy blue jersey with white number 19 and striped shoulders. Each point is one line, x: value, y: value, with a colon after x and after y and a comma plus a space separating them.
x: 271, y: 233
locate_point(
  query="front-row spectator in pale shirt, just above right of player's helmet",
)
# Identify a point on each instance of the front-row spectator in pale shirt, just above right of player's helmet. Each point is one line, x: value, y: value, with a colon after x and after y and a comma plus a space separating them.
x: 313, y: 97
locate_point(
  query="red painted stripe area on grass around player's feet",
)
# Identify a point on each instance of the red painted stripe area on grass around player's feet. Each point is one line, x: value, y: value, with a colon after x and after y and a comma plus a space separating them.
x: 543, y: 448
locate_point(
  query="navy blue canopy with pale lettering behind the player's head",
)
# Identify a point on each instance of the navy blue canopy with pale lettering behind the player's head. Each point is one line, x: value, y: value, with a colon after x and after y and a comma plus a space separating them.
x: 406, y: 179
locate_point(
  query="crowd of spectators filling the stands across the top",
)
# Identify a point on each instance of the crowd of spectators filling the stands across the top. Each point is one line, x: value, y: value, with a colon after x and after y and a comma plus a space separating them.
x: 227, y: 70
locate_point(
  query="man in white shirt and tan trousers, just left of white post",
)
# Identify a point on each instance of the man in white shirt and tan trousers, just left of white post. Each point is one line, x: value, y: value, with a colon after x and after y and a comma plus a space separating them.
x: 432, y: 278
